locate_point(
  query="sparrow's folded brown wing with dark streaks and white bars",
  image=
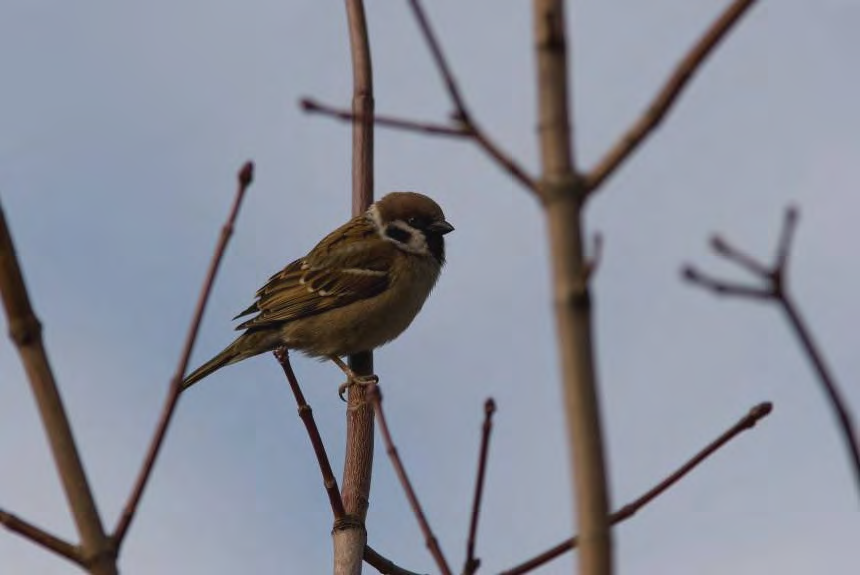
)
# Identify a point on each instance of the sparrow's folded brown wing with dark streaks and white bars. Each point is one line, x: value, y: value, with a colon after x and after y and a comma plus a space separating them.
x: 350, y: 264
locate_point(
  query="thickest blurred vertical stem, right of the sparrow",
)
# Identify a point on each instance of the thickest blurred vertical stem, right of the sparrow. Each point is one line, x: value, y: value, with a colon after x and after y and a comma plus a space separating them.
x: 563, y: 192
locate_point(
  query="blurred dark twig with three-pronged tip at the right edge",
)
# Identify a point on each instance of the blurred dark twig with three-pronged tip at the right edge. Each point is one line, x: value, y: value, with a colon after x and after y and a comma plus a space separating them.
x: 774, y: 289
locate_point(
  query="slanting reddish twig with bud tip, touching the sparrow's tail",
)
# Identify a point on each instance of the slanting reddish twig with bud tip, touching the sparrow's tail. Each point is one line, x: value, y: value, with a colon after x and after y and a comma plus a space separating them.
x: 245, y: 177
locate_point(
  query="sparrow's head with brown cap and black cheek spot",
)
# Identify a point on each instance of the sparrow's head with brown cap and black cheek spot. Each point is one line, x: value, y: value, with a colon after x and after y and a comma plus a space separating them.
x: 413, y: 222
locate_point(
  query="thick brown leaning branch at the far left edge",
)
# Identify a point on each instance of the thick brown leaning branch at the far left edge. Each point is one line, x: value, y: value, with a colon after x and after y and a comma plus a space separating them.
x: 26, y: 331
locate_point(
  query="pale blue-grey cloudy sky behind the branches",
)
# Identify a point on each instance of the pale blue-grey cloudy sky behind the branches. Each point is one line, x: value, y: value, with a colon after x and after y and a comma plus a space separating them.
x: 122, y: 126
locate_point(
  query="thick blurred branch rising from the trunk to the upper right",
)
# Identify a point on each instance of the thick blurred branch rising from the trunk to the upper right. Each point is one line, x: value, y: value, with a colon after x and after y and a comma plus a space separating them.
x: 668, y: 94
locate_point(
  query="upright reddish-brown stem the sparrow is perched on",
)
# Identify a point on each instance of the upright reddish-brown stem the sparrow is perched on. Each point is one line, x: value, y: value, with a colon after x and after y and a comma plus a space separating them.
x: 349, y: 534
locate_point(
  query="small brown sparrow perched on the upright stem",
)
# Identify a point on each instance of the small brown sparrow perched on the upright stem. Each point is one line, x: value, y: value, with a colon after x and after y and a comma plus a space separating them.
x: 357, y: 289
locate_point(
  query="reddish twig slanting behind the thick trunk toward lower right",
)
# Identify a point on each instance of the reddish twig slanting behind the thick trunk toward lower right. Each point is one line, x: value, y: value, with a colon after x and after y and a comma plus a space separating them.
x: 747, y: 422
